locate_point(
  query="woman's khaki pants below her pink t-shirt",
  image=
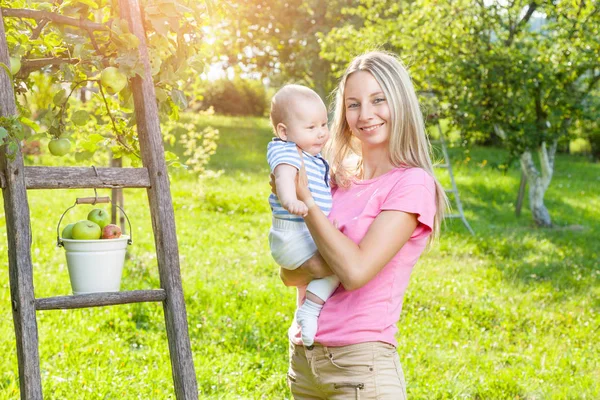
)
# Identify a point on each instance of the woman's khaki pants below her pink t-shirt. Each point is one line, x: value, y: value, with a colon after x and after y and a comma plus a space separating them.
x: 360, y: 371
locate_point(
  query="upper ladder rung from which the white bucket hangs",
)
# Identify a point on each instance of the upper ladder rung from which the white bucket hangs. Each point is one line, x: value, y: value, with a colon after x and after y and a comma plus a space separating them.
x: 84, y: 177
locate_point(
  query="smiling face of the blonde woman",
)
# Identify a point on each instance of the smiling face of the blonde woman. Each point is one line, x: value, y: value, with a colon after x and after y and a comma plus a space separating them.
x: 367, y: 109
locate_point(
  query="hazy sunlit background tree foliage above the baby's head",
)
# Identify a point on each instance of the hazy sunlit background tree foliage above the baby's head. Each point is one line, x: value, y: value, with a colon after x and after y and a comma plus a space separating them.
x: 281, y: 40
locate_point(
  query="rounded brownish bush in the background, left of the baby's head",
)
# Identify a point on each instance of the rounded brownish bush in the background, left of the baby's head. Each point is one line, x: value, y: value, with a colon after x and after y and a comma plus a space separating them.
x: 235, y: 97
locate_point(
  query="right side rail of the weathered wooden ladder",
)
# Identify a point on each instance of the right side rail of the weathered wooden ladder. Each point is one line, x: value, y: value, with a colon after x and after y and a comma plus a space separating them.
x: 161, y: 209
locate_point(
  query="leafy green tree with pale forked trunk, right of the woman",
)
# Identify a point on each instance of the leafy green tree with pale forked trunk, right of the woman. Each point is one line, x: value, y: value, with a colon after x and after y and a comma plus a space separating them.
x: 523, y: 70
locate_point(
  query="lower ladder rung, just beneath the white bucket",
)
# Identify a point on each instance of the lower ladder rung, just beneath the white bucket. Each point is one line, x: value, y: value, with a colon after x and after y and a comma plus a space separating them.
x: 99, y: 299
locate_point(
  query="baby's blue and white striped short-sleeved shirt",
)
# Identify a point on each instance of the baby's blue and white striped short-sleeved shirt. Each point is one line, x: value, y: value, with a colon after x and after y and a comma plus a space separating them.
x: 317, y: 170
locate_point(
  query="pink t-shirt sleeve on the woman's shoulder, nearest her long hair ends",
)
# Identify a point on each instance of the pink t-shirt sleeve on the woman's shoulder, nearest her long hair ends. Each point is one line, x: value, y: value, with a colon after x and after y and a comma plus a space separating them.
x: 414, y: 198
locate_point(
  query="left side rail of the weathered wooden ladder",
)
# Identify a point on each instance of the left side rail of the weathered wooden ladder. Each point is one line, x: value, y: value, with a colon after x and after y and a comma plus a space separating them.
x: 18, y: 233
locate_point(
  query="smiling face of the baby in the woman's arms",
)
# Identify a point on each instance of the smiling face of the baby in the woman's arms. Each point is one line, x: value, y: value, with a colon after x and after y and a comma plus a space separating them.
x: 307, y: 125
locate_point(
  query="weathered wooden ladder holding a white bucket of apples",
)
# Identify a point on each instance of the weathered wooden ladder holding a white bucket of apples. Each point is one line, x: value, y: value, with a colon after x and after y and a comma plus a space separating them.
x: 15, y: 179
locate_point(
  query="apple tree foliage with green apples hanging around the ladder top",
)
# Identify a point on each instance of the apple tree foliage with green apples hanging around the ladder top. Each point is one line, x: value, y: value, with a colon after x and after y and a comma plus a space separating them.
x: 70, y: 64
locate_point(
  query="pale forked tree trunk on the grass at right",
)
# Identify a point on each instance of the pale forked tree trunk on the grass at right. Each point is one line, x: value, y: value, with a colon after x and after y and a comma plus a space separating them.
x: 539, y: 182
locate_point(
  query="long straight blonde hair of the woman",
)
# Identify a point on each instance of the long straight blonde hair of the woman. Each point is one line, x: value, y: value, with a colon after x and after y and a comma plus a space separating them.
x: 408, y: 144
